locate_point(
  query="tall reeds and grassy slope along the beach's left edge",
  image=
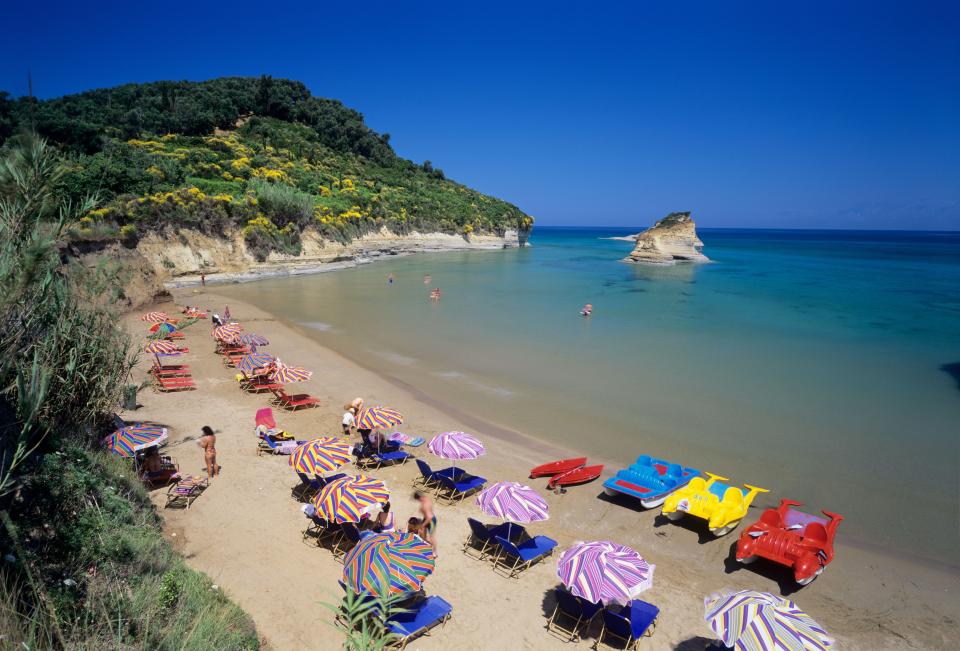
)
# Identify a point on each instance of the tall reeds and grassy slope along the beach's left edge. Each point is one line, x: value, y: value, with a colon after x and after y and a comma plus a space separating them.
x: 84, y: 563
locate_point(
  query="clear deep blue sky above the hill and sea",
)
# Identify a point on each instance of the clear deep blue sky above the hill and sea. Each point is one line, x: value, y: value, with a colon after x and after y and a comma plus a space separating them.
x: 791, y: 115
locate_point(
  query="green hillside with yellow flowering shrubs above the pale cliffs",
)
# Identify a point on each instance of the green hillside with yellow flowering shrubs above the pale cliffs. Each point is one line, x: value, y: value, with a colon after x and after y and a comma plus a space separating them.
x: 261, y: 154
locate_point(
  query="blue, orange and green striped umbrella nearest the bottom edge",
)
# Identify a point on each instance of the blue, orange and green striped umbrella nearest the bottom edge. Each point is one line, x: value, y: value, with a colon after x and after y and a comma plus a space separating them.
x: 400, y: 561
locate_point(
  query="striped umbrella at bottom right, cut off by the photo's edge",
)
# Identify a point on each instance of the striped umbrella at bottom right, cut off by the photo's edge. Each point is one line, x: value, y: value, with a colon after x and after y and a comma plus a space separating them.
x: 747, y: 620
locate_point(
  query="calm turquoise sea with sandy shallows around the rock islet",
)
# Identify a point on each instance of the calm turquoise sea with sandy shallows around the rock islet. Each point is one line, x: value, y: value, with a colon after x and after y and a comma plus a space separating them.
x: 822, y: 365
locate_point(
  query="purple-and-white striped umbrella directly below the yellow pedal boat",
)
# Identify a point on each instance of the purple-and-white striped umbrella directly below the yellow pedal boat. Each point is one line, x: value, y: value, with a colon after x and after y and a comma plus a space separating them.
x: 604, y: 572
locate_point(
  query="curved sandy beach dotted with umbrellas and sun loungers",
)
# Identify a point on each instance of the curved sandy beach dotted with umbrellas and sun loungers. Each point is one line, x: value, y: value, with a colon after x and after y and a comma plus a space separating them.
x: 245, y: 531
